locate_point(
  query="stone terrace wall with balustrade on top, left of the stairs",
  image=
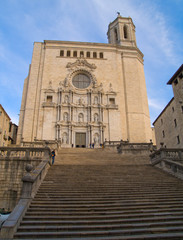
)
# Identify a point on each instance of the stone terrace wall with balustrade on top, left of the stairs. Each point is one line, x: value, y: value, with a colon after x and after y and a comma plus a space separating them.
x: 13, y: 161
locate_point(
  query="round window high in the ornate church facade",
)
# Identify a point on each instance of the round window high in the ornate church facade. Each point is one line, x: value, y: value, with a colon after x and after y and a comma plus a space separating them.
x: 81, y: 81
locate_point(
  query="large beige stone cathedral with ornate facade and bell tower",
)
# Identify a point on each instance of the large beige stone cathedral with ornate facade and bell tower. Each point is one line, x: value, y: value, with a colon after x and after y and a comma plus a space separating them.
x: 78, y: 93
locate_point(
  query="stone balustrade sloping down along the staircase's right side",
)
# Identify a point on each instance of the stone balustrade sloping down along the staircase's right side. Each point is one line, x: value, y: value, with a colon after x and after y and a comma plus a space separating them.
x: 169, y: 160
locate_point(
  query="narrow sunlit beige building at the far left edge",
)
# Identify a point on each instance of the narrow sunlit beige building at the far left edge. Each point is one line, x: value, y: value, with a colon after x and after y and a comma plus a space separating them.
x: 4, y: 127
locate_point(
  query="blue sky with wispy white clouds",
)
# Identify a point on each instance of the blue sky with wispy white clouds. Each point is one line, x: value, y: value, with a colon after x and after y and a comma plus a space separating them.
x: 159, y: 34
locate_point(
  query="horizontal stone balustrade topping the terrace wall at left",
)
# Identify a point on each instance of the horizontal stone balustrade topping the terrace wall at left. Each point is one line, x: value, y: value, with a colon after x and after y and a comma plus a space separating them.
x: 27, y: 153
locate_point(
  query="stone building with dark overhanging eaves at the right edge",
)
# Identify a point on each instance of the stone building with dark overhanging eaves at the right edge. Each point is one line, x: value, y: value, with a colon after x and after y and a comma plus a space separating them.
x: 169, y: 124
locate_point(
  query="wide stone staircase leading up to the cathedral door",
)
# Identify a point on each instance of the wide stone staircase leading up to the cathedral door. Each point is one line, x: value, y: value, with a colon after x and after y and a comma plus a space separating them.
x: 97, y: 194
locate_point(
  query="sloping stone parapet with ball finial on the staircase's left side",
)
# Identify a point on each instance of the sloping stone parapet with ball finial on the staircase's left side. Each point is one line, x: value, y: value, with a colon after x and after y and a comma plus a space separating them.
x: 31, y: 183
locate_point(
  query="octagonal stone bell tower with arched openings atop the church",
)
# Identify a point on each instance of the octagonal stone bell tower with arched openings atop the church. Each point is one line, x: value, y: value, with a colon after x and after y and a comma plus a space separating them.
x: 122, y: 32
